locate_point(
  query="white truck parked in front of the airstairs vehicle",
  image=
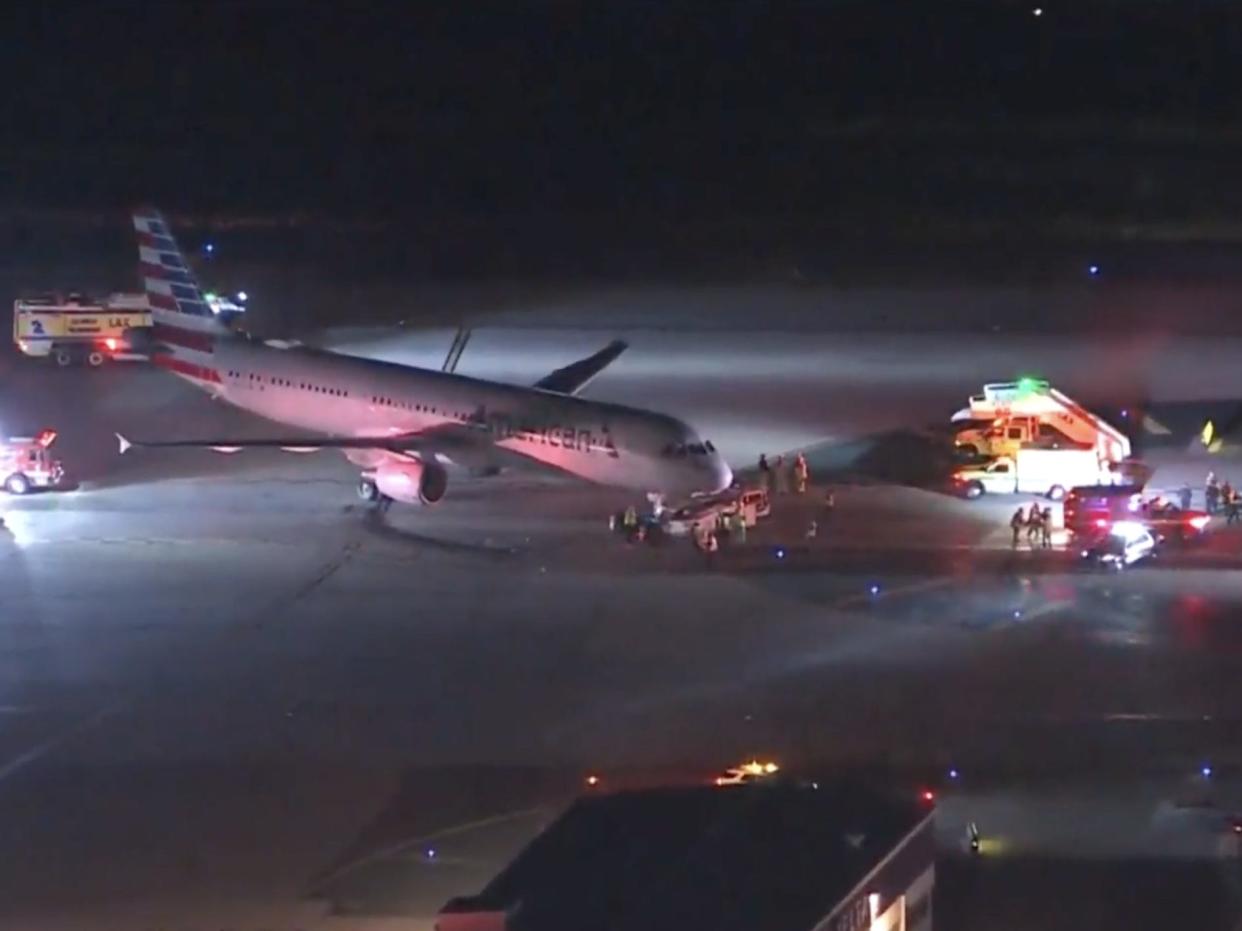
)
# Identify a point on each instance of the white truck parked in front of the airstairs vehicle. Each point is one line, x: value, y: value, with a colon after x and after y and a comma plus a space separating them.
x: 1044, y: 472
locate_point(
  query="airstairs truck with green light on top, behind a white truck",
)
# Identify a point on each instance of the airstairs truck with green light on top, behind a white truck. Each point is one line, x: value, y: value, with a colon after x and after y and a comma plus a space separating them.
x: 1030, y: 414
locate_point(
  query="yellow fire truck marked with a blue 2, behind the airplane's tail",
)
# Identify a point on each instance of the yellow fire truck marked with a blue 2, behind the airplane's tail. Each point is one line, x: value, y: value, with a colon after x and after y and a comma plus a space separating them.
x: 75, y: 330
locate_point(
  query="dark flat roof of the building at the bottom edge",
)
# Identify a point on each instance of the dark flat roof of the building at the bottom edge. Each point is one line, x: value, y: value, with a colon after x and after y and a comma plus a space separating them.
x: 777, y: 857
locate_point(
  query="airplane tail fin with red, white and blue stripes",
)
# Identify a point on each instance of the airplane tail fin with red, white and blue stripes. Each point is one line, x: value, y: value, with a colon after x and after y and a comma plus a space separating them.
x: 184, y: 326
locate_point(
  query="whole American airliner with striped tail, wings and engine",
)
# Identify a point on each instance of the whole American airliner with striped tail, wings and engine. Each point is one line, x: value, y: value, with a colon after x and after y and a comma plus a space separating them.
x: 399, y: 424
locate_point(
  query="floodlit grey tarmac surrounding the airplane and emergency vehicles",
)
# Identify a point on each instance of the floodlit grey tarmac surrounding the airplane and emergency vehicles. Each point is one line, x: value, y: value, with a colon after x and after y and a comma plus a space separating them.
x: 234, y: 697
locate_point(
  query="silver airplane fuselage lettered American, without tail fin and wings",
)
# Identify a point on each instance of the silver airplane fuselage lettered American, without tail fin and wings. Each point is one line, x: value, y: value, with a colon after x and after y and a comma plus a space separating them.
x: 348, y: 397
